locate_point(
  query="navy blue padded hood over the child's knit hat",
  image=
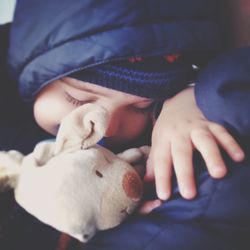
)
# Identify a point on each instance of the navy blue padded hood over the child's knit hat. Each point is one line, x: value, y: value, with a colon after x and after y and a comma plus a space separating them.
x: 53, y: 38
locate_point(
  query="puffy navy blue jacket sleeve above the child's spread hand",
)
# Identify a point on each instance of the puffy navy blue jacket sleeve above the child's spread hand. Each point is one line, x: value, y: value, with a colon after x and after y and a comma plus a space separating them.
x: 222, y: 91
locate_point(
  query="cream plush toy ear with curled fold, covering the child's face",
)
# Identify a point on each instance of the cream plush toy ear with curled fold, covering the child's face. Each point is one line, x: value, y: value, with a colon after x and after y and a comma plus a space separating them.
x: 82, y: 128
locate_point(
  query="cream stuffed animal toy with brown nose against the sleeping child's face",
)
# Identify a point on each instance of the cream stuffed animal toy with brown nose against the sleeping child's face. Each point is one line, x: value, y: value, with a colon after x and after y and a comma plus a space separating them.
x: 73, y: 184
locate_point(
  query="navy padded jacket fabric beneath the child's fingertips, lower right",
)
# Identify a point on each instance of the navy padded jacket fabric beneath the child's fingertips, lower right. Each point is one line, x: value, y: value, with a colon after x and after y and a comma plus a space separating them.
x: 217, y: 219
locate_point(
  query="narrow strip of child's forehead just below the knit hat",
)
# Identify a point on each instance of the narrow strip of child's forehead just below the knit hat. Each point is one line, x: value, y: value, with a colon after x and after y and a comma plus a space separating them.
x: 100, y: 90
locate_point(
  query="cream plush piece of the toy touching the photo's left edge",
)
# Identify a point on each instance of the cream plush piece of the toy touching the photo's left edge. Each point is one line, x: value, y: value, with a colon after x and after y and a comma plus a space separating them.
x: 10, y: 165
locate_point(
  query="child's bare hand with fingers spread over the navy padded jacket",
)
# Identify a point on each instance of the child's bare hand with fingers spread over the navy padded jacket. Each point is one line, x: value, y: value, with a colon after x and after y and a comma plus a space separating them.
x: 181, y: 128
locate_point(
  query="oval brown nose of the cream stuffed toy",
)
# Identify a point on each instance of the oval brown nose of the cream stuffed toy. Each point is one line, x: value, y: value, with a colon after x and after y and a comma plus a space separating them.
x: 132, y: 185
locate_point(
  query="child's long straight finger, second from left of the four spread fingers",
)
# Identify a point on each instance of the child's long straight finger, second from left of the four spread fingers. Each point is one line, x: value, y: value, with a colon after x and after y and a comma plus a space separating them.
x: 182, y: 152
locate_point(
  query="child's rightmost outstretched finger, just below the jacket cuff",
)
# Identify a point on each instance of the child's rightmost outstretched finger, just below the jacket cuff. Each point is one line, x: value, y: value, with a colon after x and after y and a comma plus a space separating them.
x: 227, y: 142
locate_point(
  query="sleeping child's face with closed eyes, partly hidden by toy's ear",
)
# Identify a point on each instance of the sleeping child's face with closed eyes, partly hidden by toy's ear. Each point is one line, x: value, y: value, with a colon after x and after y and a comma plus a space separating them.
x: 130, y: 114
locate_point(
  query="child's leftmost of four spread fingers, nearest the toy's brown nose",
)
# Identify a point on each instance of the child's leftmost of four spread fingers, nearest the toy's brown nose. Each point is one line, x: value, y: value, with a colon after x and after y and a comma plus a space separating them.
x: 162, y: 162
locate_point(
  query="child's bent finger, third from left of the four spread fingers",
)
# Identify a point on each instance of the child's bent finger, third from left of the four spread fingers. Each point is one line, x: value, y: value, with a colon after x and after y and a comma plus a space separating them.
x: 207, y: 146
